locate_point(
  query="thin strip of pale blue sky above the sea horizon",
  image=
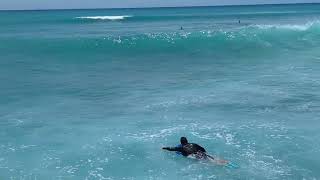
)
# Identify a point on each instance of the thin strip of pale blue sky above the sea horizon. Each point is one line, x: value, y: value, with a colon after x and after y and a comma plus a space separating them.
x: 87, y: 4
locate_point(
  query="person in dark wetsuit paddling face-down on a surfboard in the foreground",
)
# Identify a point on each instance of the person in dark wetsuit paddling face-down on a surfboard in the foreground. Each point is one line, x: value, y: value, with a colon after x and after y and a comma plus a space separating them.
x: 187, y: 149
